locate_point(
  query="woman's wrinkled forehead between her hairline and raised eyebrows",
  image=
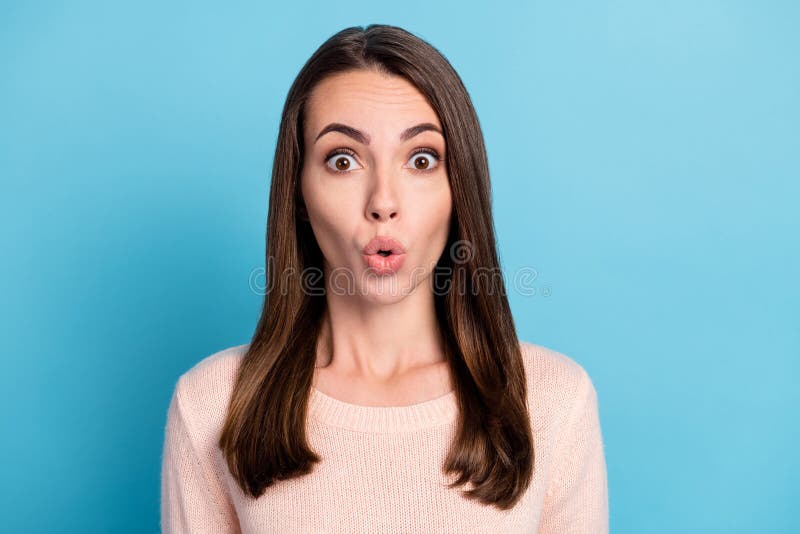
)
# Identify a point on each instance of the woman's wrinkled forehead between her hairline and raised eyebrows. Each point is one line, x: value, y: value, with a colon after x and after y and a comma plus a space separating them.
x: 367, y: 99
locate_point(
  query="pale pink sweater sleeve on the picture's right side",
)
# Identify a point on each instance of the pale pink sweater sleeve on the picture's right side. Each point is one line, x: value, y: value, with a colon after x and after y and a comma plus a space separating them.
x: 576, y: 499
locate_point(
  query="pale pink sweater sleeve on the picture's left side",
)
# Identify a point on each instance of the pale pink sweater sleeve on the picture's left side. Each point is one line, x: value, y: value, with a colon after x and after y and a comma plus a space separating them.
x: 192, y: 495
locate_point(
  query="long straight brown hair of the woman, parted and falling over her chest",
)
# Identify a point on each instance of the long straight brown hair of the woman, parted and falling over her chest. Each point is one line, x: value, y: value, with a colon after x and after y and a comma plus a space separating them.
x: 264, y: 436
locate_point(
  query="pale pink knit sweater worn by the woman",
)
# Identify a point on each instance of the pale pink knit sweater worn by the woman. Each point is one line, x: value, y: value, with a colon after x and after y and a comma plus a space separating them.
x: 381, y: 466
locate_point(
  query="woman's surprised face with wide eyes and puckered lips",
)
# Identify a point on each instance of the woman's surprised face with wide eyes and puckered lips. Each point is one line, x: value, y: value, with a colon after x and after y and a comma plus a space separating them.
x: 374, y: 174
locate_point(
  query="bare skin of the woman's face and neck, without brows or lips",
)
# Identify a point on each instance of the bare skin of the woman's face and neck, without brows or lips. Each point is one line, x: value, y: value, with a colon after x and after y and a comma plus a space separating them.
x: 380, y: 342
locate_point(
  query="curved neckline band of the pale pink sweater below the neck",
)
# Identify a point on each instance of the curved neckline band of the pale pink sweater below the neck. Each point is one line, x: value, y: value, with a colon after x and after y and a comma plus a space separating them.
x: 383, y: 419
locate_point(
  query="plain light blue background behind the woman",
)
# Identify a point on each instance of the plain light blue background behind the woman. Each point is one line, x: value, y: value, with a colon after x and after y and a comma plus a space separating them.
x: 644, y: 159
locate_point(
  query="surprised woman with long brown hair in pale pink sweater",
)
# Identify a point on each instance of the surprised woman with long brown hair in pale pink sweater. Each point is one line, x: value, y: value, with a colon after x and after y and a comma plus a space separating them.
x: 385, y: 389
